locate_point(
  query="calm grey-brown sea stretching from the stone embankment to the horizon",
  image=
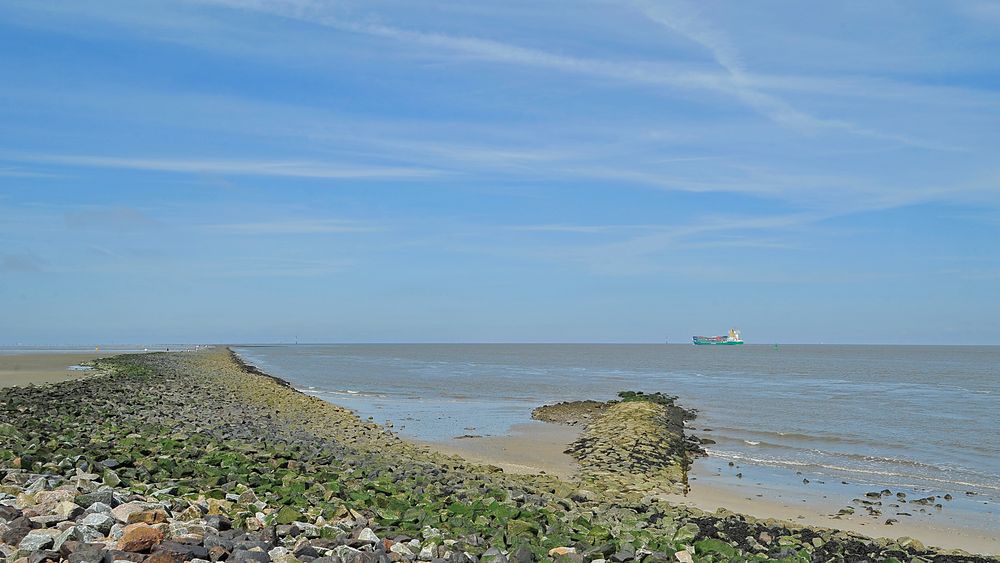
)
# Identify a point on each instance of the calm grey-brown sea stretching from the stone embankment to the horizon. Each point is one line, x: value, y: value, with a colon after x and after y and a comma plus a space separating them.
x: 923, y: 418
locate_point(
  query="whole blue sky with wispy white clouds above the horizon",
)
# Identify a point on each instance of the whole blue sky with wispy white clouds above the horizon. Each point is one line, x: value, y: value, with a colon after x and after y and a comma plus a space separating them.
x: 520, y: 171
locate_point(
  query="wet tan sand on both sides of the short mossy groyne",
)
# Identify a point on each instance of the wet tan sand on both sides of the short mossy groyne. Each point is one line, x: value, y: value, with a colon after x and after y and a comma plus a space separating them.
x: 538, y: 448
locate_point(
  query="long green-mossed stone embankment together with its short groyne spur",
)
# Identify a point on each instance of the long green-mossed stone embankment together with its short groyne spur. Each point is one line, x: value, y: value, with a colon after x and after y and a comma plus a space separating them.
x: 190, y: 456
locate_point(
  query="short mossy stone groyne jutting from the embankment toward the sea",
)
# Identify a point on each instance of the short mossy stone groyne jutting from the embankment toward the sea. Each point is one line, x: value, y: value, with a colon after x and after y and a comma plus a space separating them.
x: 635, y: 445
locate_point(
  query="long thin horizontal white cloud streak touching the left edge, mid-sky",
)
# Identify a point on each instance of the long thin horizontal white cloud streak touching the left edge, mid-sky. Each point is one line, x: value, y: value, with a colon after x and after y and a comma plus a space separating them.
x: 244, y: 167
